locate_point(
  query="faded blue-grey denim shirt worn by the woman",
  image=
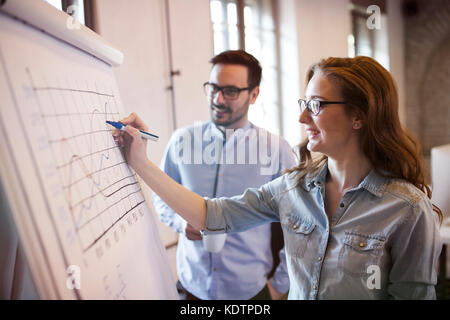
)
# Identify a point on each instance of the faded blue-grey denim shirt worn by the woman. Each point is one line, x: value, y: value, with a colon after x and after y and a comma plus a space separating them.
x: 382, y: 242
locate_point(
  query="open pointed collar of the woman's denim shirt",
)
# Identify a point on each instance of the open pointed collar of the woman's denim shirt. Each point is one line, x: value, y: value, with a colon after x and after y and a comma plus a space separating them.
x: 373, y: 182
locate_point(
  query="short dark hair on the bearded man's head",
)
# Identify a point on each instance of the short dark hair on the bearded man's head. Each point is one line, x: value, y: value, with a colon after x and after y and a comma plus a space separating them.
x: 243, y: 58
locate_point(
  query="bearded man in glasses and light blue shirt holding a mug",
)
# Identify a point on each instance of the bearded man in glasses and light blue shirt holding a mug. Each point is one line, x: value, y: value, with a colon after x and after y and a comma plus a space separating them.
x: 216, y: 159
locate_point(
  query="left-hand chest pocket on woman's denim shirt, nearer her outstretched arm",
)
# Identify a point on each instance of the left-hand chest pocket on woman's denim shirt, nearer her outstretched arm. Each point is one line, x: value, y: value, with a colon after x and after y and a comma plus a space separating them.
x: 297, y: 233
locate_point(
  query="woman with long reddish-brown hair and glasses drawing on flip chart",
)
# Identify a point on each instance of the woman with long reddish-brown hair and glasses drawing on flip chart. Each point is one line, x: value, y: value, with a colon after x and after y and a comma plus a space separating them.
x: 356, y: 215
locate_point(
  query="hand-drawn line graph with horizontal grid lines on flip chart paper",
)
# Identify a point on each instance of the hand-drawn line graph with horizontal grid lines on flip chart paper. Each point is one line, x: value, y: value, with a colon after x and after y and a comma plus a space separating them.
x: 99, y: 187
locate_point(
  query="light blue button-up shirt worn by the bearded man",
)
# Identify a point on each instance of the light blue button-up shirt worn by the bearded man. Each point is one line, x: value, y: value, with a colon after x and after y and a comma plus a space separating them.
x: 206, y: 161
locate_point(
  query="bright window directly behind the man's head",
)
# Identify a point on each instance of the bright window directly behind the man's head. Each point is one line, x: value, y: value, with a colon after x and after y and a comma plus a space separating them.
x: 249, y: 25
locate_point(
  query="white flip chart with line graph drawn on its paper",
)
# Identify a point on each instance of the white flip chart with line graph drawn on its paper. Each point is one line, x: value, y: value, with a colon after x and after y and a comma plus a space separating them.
x: 75, y: 203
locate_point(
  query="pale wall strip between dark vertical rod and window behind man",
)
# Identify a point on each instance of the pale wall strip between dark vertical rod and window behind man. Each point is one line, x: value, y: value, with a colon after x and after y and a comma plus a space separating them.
x: 192, y: 46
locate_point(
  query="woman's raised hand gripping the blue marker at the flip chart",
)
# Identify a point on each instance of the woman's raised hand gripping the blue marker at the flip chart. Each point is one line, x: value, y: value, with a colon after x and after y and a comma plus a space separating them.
x: 133, y: 146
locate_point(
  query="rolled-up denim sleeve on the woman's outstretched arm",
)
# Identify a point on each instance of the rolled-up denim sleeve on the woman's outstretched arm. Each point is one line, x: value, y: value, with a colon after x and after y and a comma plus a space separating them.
x: 240, y: 213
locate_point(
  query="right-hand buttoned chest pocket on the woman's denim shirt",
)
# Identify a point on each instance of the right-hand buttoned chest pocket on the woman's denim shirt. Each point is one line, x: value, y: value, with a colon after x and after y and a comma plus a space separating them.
x: 359, y: 252
